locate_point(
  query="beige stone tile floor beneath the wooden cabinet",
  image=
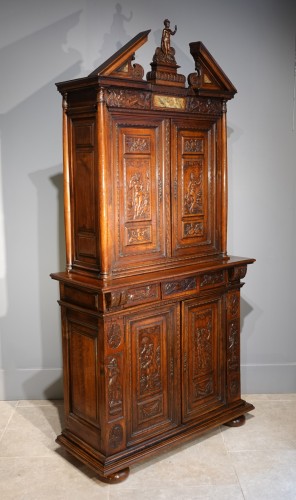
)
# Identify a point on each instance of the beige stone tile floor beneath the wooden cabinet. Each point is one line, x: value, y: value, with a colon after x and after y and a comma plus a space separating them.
x: 253, y: 462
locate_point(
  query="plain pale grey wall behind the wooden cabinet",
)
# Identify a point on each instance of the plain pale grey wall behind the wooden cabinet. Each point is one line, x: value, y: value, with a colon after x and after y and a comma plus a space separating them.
x: 43, y: 42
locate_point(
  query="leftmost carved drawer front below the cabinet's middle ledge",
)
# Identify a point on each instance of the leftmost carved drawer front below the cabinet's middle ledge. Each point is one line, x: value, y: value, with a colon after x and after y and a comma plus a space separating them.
x: 132, y: 296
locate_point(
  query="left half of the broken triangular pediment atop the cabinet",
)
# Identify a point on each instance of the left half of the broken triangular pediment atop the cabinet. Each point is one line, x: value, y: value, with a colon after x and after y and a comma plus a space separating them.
x: 120, y: 63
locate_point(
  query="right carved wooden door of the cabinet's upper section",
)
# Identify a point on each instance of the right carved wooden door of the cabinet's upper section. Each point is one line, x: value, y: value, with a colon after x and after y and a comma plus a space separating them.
x: 193, y: 188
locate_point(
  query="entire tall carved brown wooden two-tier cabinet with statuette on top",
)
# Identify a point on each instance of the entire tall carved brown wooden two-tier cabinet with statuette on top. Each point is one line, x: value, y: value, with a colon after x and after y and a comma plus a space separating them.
x: 150, y: 300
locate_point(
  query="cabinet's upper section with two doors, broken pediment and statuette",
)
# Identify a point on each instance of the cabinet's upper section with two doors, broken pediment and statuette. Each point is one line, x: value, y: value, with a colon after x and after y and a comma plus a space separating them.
x: 145, y: 165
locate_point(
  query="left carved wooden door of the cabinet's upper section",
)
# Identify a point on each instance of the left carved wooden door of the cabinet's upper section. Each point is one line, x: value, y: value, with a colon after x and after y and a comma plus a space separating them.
x: 140, y: 193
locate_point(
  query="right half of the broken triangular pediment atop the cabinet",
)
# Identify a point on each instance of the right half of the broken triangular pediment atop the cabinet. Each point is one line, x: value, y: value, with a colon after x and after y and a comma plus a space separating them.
x: 209, y: 78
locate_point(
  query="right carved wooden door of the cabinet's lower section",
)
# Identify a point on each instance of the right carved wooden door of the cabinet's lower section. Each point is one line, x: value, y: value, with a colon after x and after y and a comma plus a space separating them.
x: 203, y: 362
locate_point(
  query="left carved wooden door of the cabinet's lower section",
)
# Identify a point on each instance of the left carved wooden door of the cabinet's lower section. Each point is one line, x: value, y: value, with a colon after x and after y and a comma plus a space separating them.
x: 154, y: 343
